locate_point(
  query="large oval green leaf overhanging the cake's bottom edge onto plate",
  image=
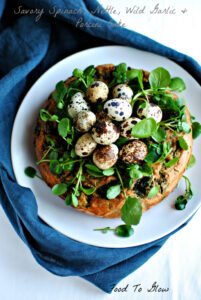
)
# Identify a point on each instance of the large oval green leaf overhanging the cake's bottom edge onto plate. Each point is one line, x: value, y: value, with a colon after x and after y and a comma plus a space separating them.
x: 131, y: 211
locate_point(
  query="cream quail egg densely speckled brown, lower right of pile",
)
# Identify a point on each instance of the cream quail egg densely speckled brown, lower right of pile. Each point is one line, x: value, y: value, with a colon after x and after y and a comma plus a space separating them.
x: 133, y: 152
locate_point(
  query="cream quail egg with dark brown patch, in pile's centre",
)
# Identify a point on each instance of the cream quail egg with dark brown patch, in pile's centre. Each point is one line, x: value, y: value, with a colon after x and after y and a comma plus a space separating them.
x: 105, y: 133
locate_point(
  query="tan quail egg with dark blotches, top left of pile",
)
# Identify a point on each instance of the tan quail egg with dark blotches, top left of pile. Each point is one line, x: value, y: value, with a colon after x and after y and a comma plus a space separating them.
x: 97, y: 92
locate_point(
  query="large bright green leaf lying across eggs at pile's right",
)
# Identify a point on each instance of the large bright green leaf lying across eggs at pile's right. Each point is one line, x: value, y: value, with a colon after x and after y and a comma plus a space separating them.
x: 144, y: 128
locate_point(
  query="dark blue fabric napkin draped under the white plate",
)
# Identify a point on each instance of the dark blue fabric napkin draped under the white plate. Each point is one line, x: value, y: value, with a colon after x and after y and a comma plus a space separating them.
x: 27, y: 49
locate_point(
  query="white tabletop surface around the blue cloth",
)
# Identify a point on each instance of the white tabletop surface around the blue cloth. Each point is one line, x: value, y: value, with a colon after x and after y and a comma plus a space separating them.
x: 177, y: 265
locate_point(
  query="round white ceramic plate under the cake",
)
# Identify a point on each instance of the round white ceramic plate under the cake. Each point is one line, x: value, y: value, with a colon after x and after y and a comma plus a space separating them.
x: 156, y: 222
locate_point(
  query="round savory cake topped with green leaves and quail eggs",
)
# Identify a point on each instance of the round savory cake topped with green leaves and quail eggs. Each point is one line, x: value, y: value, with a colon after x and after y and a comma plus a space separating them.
x: 114, y: 141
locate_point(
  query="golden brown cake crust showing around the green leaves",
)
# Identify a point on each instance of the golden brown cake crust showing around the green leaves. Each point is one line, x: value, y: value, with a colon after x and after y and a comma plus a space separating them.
x: 97, y: 204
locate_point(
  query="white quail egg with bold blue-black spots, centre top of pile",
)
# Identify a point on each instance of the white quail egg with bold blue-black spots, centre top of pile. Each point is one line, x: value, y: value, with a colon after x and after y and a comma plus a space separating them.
x: 118, y: 109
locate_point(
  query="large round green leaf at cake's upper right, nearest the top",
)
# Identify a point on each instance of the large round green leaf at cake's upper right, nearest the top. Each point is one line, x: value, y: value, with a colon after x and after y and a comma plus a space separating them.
x: 159, y: 78
